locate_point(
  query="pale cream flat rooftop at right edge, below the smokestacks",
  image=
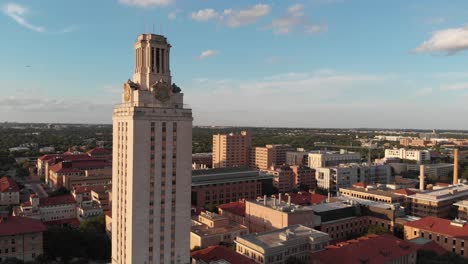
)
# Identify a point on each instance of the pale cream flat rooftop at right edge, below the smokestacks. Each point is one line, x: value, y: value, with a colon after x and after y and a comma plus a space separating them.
x: 442, y: 194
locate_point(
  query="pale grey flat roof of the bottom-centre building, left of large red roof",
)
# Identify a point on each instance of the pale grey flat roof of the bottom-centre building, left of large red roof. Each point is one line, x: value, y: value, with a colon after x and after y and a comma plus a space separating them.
x: 283, y: 236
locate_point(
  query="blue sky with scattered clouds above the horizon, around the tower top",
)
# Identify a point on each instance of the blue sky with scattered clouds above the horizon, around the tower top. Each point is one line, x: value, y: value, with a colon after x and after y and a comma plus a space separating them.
x: 277, y: 63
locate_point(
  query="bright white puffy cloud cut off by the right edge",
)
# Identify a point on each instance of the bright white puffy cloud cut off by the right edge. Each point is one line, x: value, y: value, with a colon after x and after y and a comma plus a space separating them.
x: 448, y: 41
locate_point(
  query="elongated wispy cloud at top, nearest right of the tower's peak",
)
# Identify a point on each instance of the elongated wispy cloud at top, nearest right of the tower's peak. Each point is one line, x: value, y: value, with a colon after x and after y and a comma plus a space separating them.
x: 233, y: 18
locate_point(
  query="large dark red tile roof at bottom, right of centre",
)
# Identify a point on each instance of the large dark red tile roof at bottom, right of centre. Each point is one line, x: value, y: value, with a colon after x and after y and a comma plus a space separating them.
x: 369, y: 250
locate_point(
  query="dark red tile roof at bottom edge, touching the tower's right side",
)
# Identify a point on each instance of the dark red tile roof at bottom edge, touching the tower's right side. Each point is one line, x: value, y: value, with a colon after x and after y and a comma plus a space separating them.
x: 215, y: 253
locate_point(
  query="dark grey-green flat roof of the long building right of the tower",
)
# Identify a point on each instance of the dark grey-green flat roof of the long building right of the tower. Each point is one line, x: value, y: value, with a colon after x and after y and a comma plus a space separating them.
x: 226, y: 175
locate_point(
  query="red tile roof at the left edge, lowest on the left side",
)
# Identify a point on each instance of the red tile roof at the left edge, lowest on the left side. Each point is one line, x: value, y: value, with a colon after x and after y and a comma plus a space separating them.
x: 15, y: 225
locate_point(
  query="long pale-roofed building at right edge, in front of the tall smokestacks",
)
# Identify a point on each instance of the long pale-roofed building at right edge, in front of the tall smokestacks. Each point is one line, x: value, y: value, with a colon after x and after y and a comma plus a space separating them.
x: 437, y: 202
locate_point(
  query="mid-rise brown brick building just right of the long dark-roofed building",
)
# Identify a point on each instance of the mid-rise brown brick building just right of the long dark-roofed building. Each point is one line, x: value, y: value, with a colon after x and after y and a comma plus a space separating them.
x: 287, y: 178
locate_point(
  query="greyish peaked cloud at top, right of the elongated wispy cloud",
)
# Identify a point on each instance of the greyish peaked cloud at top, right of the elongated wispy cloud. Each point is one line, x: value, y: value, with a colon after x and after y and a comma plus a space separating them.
x: 294, y: 19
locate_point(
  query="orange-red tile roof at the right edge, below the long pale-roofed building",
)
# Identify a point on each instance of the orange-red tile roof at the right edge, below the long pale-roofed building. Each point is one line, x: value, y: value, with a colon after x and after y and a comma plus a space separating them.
x: 440, y: 226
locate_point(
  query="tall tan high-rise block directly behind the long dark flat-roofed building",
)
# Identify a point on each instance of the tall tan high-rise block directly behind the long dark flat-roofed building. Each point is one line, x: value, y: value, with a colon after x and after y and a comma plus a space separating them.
x: 232, y: 150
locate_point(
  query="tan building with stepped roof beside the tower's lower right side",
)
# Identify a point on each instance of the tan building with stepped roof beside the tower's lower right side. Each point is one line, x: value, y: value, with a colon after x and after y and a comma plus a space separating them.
x: 211, y: 229
